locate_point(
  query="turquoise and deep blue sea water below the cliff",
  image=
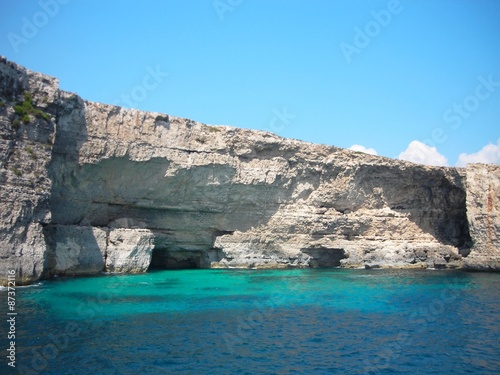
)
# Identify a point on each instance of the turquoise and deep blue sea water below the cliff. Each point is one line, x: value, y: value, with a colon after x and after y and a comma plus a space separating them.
x: 312, y: 321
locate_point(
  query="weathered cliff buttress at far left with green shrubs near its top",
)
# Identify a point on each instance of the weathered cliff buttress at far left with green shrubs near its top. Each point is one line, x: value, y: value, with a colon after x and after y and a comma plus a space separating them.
x: 25, y: 153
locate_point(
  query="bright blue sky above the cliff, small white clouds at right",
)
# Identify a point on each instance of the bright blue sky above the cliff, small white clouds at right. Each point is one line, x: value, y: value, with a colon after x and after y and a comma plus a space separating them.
x: 380, y: 74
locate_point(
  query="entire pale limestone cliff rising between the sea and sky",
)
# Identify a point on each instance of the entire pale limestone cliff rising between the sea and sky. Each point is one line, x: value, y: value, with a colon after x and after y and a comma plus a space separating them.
x: 89, y: 187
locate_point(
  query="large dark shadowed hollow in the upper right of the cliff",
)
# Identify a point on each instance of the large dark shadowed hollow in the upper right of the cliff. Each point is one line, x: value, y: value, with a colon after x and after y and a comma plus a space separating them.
x: 434, y: 199
